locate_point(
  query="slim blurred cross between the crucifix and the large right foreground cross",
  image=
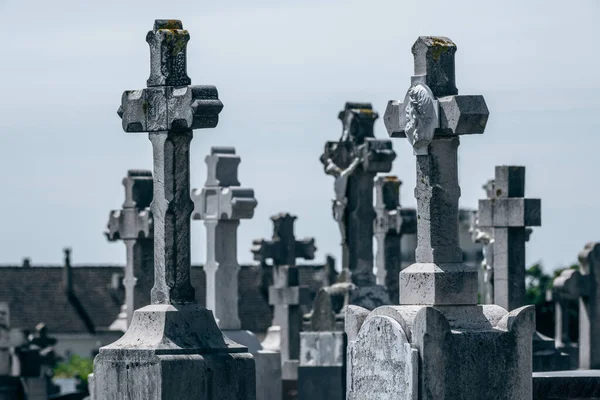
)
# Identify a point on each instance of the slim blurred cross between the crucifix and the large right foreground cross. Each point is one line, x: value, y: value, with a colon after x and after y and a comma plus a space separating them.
x: 389, y: 228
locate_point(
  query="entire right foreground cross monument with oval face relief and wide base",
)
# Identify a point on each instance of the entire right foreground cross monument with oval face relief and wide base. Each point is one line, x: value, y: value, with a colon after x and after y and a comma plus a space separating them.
x: 438, y: 344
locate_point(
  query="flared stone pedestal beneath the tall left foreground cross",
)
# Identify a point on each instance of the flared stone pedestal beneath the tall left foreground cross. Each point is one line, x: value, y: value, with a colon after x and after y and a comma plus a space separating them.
x: 174, y: 353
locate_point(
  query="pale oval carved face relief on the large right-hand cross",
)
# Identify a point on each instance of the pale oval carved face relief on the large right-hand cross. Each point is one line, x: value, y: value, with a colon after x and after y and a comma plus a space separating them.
x: 420, y: 117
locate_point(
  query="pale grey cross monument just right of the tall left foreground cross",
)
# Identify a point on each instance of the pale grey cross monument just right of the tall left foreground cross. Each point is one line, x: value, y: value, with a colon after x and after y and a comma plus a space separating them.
x: 221, y: 204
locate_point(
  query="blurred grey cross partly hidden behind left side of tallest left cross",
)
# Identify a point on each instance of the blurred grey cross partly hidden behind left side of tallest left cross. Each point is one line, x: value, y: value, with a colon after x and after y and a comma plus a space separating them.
x: 133, y: 225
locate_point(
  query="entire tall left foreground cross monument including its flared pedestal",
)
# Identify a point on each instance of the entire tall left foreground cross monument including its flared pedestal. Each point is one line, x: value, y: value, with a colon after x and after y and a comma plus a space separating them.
x: 173, y: 348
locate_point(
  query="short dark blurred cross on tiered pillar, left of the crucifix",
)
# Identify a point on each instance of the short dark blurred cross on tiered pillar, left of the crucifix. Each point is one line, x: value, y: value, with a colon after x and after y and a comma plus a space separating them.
x: 286, y: 294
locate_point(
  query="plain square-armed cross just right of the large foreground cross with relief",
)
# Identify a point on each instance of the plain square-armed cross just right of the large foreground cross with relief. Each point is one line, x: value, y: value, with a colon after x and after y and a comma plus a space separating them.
x: 509, y: 214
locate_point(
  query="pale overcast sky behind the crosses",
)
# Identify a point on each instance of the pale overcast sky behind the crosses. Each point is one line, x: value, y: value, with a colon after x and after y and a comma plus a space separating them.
x: 284, y: 69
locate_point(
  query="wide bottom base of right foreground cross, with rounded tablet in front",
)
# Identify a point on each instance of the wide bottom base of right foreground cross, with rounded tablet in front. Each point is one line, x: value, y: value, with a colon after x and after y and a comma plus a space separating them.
x: 442, y: 352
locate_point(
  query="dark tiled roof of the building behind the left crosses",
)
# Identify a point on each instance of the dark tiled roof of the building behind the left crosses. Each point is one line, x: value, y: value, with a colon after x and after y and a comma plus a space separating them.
x: 36, y: 294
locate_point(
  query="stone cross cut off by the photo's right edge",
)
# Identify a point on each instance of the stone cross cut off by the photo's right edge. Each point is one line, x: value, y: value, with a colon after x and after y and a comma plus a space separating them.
x: 582, y: 284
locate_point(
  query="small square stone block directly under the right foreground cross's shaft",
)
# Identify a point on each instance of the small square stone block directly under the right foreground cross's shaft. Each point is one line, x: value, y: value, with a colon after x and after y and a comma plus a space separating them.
x: 438, y: 284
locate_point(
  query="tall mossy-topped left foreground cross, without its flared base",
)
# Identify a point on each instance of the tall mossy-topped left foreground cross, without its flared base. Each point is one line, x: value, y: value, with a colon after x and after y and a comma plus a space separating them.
x: 169, y: 109
